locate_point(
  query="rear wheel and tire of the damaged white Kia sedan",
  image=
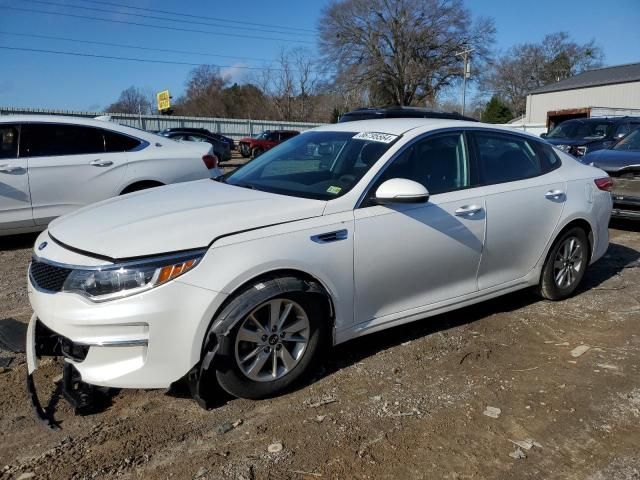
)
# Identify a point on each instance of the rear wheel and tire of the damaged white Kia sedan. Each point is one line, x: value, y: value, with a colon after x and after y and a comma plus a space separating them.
x: 565, y: 266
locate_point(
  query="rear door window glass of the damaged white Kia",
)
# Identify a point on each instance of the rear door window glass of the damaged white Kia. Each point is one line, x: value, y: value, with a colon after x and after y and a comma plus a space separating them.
x: 506, y: 158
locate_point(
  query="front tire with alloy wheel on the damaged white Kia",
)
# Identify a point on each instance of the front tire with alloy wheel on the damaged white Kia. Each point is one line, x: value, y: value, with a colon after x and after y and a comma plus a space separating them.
x: 273, y: 346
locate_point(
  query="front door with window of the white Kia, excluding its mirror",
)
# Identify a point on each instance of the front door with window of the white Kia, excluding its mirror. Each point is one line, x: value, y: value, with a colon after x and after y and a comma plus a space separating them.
x: 409, y: 256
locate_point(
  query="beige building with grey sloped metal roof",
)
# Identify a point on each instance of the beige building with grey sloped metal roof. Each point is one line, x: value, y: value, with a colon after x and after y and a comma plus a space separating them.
x: 603, y: 91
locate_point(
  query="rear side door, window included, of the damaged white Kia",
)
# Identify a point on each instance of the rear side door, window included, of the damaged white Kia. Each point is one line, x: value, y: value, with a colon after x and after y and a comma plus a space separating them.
x: 525, y: 196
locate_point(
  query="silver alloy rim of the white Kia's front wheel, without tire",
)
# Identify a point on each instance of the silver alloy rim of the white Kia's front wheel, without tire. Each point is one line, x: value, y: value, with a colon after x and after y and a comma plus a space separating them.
x: 272, y: 340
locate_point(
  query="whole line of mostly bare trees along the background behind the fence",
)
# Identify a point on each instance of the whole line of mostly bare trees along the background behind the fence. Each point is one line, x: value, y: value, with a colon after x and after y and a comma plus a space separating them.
x: 383, y: 52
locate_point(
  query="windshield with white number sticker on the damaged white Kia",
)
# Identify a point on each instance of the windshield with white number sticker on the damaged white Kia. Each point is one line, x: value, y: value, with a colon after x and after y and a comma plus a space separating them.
x: 319, y: 165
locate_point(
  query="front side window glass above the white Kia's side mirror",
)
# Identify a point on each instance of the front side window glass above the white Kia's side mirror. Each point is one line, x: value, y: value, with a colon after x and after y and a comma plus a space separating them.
x: 439, y: 162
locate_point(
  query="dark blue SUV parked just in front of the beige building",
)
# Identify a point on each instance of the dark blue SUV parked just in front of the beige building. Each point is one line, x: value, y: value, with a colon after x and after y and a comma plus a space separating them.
x: 582, y: 135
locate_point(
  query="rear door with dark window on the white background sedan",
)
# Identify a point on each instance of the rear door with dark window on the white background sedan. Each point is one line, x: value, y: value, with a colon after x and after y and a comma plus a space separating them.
x: 69, y: 167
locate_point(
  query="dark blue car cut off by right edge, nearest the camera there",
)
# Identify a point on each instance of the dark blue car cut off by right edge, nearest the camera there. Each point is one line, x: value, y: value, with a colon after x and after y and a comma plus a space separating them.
x: 622, y: 163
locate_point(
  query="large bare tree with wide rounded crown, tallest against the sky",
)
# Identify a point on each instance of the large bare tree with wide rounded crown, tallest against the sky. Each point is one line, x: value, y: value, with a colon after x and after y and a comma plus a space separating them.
x: 401, y: 51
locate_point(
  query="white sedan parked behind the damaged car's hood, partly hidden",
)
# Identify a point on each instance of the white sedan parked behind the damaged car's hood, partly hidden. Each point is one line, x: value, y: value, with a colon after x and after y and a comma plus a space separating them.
x: 52, y: 165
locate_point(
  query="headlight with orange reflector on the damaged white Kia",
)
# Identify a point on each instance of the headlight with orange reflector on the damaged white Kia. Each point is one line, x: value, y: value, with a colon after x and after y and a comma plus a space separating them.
x: 129, y: 278
